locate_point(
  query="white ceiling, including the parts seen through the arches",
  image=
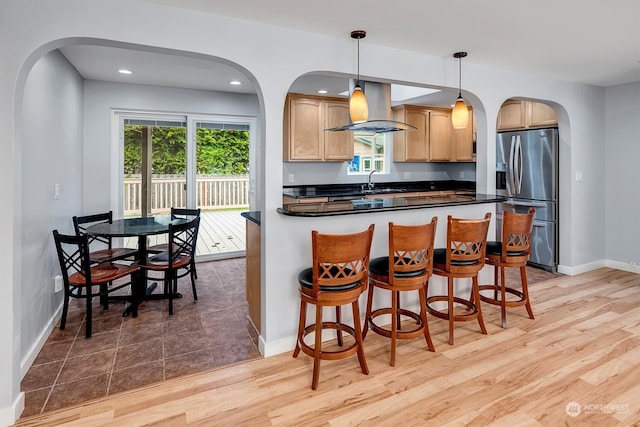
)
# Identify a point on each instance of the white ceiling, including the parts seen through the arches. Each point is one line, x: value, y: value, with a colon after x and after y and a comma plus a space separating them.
x: 586, y: 41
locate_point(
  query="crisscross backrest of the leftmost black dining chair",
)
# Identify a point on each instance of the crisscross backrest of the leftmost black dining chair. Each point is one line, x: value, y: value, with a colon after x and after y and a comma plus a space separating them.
x: 73, y: 255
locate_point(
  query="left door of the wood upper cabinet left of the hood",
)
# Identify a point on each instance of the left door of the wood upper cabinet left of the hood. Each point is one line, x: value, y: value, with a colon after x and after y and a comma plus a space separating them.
x: 305, y: 129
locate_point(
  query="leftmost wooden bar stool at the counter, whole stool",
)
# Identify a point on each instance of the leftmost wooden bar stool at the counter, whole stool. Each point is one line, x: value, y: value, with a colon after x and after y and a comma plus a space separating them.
x: 338, y: 276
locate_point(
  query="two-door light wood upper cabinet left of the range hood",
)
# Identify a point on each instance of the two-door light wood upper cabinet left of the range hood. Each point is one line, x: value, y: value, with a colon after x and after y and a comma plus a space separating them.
x: 305, y: 138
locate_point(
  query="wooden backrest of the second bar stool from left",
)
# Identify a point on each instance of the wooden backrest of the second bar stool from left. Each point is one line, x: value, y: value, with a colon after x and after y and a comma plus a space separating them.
x: 411, y: 250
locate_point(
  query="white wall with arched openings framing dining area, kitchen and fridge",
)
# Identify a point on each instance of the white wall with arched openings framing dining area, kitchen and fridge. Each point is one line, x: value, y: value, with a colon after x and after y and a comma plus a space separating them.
x: 274, y: 58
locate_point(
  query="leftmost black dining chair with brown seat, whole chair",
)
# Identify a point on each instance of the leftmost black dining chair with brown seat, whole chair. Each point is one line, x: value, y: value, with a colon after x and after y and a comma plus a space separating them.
x: 79, y: 272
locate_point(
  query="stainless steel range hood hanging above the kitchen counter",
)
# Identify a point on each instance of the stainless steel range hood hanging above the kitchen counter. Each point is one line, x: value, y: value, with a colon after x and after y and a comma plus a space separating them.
x: 379, y: 100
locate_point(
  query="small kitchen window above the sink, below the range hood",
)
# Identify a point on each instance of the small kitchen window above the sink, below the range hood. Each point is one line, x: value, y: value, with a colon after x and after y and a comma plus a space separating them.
x: 369, y: 153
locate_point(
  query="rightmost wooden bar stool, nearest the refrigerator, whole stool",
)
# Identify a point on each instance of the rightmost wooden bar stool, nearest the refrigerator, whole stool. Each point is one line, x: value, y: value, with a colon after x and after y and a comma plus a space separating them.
x: 511, y: 252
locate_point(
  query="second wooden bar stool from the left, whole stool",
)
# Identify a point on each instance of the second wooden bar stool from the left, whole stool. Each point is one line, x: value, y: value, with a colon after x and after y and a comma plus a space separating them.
x: 407, y: 268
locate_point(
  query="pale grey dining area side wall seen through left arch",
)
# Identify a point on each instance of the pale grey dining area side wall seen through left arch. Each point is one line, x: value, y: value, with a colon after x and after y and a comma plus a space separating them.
x: 51, y: 154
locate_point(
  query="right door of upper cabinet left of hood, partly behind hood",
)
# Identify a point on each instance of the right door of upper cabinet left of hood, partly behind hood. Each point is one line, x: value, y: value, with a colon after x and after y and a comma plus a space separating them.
x: 338, y: 146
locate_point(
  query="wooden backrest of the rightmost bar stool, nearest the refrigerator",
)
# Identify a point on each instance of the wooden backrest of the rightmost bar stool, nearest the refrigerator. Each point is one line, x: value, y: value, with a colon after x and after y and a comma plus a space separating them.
x: 516, y: 235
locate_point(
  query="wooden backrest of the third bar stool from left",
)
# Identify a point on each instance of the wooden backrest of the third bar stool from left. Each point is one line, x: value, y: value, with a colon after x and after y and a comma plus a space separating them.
x: 466, y: 244
